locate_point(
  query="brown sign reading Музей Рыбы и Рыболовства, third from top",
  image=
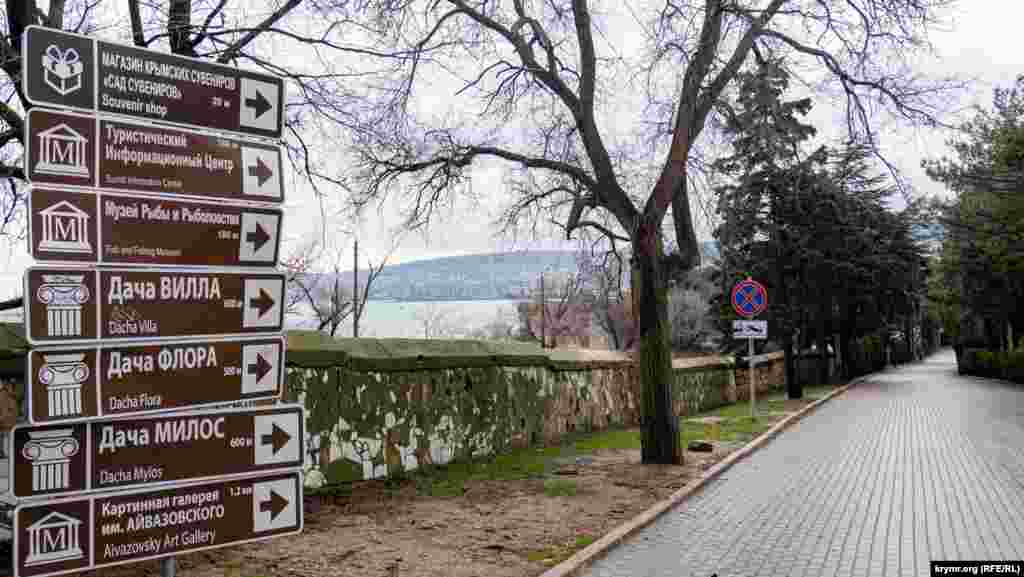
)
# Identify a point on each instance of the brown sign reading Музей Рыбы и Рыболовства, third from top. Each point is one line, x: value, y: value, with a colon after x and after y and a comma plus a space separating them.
x: 71, y: 226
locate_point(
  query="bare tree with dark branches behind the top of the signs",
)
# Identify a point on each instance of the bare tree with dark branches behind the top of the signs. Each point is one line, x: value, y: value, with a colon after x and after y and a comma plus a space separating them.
x: 291, y: 38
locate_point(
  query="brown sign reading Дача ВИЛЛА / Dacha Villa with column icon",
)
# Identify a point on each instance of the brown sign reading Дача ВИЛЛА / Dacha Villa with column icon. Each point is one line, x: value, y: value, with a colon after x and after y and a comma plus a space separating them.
x: 82, y: 306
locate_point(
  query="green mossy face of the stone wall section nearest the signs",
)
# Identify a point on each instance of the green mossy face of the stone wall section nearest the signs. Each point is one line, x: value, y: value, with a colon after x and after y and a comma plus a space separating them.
x: 476, y: 411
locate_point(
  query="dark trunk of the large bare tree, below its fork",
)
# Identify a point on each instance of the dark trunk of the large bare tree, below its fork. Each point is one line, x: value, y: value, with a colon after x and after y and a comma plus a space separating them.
x: 660, y: 441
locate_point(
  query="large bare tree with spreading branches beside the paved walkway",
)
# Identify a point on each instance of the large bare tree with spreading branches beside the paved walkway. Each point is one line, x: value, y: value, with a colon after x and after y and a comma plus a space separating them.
x: 539, y: 84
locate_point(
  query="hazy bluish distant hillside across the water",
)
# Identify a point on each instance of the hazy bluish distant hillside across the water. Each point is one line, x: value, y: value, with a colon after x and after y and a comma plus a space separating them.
x: 477, y: 277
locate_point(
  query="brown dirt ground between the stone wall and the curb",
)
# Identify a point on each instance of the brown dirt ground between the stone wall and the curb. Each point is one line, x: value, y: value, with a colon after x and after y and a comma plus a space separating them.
x: 496, y: 529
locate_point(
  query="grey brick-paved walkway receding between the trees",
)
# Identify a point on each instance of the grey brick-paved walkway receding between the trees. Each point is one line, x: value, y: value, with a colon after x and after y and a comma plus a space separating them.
x: 916, y: 465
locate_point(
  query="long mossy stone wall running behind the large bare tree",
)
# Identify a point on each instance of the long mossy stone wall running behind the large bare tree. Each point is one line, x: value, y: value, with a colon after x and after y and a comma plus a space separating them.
x: 381, y: 406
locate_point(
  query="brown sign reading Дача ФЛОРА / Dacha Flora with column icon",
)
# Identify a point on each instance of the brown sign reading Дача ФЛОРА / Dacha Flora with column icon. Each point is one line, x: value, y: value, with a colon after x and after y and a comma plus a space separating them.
x: 71, y: 384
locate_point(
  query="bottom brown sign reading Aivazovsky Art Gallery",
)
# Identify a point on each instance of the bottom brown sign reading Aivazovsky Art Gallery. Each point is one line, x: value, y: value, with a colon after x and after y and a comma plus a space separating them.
x: 72, y: 535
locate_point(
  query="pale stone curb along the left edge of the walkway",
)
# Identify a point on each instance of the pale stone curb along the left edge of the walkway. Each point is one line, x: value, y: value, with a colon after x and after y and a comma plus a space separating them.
x: 598, y: 550
